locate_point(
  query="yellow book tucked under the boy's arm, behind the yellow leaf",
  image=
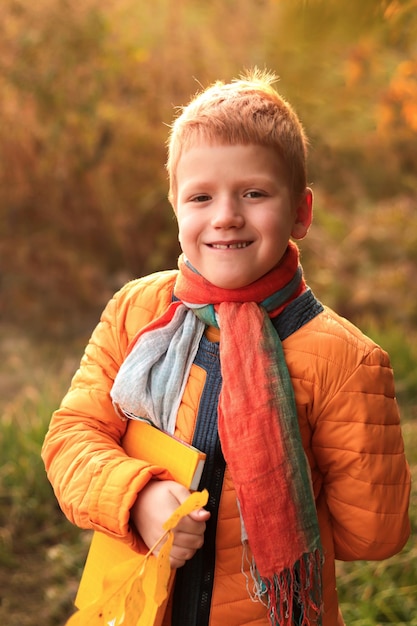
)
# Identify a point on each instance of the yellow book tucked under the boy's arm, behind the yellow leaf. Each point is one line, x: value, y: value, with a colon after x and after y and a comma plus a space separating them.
x: 148, y: 443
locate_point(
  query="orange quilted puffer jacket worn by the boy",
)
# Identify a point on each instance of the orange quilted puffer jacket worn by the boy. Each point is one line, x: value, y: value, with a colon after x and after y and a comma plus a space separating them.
x: 349, y: 425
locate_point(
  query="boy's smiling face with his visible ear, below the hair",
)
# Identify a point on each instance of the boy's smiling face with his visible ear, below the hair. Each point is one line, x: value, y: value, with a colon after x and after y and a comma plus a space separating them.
x: 235, y: 211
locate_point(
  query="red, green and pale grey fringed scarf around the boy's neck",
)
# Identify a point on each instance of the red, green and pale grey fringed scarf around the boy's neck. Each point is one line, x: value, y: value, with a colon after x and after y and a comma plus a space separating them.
x: 257, y: 422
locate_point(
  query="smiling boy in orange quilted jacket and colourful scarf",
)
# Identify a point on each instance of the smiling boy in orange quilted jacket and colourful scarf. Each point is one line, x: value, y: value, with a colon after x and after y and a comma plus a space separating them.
x: 294, y: 407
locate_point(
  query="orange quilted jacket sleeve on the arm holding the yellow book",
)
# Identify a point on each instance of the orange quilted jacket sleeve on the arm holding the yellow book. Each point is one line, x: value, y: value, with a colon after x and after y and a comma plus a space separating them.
x: 95, y: 482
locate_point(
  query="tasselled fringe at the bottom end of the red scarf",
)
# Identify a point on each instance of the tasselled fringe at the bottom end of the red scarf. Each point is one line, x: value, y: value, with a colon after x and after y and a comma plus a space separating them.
x: 292, y: 597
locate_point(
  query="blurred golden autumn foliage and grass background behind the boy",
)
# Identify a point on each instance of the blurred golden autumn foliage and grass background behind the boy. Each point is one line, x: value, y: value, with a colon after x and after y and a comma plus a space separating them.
x: 87, y: 91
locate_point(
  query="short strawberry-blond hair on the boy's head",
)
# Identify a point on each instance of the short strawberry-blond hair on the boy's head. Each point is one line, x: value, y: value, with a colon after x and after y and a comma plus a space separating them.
x: 245, y: 111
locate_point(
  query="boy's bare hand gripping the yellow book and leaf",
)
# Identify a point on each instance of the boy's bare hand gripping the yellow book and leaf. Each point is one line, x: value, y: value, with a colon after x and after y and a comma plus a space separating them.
x: 154, y: 505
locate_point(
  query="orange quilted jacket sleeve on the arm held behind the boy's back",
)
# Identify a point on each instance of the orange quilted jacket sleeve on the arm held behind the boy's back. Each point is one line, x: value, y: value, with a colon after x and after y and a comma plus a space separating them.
x: 358, y: 445
